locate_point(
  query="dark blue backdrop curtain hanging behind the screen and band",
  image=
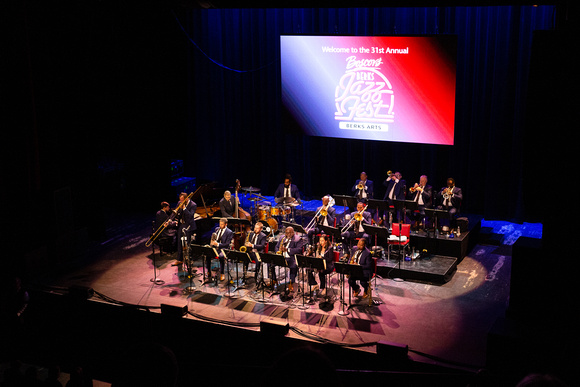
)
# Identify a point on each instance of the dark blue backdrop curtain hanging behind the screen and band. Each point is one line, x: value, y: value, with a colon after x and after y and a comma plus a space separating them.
x: 237, y: 126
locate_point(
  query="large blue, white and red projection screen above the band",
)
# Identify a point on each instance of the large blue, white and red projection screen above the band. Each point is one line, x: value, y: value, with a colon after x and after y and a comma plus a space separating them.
x: 384, y: 88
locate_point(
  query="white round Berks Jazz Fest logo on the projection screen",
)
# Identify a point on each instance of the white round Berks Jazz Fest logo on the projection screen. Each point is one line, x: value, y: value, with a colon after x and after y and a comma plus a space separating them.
x: 364, y: 96
